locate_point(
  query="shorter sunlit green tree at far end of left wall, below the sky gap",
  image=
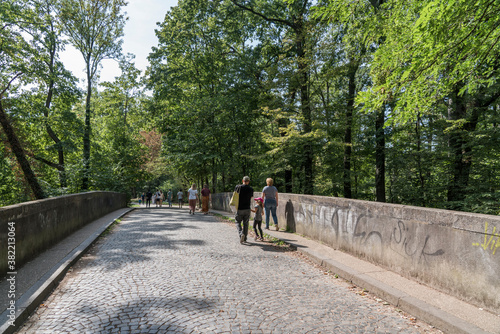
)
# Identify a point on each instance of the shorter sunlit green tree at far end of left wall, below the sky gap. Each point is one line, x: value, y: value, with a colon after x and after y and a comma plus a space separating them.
x: 121, y: 117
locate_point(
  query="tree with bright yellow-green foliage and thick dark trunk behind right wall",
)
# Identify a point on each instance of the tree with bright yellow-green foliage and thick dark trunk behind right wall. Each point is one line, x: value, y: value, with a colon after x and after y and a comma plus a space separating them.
x: 438, y: 52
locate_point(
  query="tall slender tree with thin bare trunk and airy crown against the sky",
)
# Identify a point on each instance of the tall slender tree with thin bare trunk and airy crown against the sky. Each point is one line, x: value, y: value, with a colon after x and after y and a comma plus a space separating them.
x: 94, y: 28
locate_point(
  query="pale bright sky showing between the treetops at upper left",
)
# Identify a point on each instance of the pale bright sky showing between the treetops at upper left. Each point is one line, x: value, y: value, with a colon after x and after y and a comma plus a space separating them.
x: 139, y: 37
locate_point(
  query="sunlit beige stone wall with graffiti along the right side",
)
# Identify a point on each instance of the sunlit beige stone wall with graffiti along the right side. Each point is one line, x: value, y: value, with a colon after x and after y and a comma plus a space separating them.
x: 455, y: 252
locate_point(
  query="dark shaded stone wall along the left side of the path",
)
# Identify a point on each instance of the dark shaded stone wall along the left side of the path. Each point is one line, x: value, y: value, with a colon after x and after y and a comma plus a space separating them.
x: 40, y: 224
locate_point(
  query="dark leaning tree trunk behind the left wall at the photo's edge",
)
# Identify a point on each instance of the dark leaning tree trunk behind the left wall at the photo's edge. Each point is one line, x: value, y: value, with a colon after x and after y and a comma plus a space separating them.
x: 20, y: 156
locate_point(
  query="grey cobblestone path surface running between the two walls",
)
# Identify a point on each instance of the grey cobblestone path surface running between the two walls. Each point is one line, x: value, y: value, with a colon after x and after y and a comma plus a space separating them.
x: 164, y: 271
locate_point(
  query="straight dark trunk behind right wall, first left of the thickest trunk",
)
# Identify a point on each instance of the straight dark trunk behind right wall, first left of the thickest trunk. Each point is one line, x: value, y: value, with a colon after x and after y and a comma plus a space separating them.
x: 380, y: 156
